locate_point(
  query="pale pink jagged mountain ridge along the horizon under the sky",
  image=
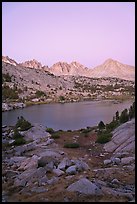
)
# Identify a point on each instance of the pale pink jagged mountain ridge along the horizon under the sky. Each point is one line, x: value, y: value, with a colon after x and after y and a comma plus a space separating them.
x: 110, y: 68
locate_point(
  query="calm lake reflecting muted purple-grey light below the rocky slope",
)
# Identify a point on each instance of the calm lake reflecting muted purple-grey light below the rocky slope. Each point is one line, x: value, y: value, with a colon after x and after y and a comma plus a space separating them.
x: 68, y: 115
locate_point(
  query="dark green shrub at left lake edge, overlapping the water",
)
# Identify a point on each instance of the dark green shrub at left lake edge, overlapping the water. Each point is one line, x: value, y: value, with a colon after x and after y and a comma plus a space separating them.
x: 23, y: 124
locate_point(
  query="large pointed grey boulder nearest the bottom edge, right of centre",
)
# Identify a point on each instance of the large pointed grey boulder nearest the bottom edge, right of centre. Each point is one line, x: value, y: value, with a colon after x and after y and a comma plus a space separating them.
x: 84, y: 186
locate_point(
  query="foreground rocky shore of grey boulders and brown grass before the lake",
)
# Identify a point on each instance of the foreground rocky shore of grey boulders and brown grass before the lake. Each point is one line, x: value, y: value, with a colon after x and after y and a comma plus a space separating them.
x: 42, y: 170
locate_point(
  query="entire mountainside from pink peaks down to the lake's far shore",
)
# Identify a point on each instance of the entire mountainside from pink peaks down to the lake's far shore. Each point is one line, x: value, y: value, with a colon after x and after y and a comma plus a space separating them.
x: 31, y: 81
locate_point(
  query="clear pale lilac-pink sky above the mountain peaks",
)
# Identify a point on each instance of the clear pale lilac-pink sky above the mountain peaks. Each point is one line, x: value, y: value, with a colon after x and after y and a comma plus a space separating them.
x: 86, y: 32
